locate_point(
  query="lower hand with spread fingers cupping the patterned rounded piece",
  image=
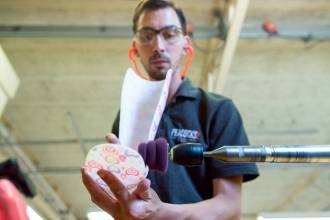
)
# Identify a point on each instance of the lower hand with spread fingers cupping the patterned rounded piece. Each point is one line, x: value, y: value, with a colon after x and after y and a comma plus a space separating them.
x: 142, y: 203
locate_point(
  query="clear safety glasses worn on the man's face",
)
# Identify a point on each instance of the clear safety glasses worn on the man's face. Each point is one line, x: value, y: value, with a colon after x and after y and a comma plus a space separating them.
x: 170, y: 34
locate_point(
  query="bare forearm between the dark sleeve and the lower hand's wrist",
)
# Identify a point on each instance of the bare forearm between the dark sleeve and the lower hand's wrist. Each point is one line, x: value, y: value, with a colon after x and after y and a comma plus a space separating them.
x: 215, y: 208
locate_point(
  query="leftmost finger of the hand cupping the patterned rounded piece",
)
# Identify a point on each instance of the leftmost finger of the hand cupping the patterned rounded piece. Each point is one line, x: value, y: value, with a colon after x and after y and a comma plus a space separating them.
x: 98, y: 195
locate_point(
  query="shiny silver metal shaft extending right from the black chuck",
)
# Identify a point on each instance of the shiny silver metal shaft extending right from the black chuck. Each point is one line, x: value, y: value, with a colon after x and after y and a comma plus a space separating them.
x: 270, y: 153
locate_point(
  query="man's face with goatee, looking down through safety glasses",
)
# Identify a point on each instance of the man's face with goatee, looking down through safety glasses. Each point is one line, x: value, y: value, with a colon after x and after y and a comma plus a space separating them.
x: 160, y: 54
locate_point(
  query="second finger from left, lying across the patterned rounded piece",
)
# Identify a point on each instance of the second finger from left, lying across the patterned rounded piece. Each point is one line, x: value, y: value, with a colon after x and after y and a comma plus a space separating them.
x: 115, y: 185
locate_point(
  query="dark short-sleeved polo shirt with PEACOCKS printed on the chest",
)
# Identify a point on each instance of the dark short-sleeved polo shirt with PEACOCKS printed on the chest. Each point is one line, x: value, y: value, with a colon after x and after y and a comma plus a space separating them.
x: 212, y: 120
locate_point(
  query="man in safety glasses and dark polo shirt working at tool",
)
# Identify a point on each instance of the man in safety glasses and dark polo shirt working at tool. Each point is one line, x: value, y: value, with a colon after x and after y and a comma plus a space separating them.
x: 209, y: 191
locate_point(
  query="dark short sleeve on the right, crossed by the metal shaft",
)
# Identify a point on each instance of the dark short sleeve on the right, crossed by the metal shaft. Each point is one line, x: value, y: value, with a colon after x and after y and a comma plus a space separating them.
x: 227, y: 128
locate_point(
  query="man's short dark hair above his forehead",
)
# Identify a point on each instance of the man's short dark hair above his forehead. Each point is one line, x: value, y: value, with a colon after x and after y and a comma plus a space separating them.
x: 155, y: 5
